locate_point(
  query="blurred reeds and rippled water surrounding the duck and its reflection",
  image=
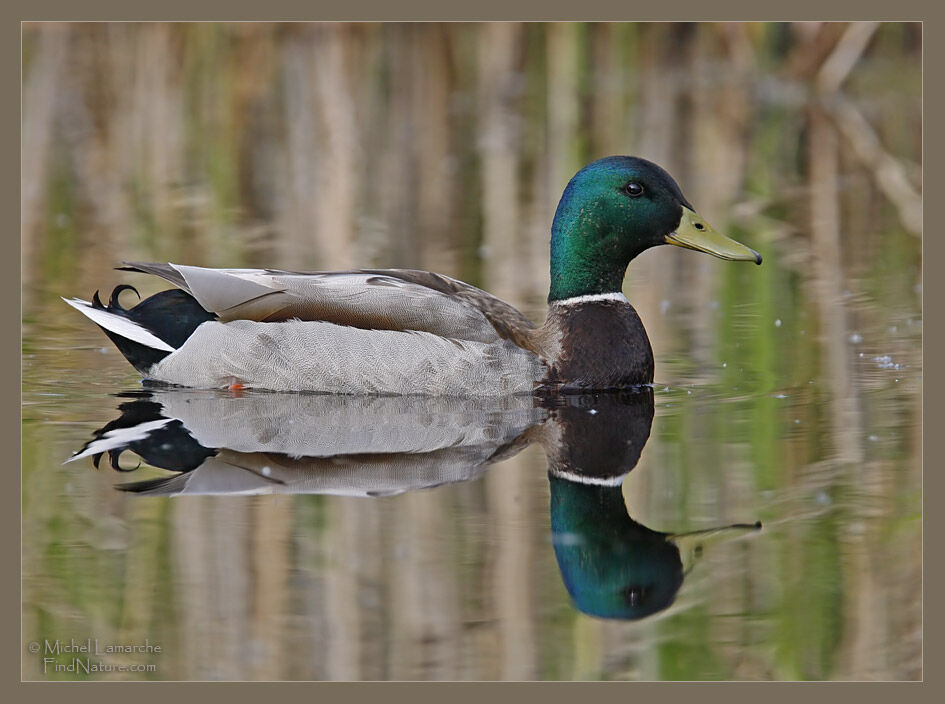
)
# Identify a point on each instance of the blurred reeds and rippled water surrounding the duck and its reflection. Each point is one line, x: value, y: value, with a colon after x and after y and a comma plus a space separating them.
x: 446, y: 147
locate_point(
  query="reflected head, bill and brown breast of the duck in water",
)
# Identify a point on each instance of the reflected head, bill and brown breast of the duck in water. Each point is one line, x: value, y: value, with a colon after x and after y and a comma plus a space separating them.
x: 612, y: 566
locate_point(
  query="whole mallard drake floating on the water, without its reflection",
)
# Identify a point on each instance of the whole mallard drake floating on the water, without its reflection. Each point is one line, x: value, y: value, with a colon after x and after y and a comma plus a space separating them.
x: 398, y: 331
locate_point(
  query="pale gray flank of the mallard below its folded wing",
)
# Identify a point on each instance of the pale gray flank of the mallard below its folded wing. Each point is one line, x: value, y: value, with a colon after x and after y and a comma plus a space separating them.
x: 329, y: 358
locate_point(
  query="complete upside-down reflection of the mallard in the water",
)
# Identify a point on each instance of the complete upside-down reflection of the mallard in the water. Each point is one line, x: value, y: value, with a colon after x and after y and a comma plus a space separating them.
x: 216, y: 443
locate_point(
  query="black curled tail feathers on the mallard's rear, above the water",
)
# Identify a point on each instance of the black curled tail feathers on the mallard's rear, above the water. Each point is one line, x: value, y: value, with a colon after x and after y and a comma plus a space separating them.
x: 171, y: 315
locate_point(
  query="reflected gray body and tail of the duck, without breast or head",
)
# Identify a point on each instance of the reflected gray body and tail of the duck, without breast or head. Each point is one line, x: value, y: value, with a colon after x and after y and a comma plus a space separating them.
x: 324, y: 444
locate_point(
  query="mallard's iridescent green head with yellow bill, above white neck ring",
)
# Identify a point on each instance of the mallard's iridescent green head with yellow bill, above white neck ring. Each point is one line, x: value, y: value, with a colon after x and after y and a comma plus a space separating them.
x: 614, y: 209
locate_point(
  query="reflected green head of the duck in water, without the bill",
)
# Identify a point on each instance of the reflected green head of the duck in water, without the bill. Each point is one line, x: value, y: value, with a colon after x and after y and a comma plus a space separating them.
x: 612, y: 566
